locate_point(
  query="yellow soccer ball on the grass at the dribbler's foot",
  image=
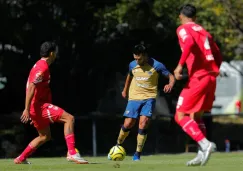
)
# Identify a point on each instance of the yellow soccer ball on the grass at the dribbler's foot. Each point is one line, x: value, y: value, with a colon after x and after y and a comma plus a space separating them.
x: 117, y: 153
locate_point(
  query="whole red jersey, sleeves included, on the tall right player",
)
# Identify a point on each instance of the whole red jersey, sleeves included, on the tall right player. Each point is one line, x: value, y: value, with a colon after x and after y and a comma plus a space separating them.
x: 199, y: 51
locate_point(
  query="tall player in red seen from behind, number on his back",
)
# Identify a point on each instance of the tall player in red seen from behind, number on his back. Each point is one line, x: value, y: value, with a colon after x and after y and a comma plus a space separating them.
x: 203, y: 60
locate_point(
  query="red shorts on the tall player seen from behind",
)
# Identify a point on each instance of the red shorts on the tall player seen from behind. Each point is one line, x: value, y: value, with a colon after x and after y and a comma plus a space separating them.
x: 197, y: 95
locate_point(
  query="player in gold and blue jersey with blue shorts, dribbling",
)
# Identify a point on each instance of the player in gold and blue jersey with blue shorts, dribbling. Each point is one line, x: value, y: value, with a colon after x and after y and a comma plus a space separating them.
x: 141, y: 85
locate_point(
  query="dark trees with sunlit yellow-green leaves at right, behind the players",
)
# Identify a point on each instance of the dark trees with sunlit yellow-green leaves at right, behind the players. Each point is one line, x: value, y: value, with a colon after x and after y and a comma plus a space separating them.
x: 95, y: 39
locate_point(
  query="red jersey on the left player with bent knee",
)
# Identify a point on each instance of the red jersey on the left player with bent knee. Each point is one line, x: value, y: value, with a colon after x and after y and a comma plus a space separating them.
x: 40, y: 76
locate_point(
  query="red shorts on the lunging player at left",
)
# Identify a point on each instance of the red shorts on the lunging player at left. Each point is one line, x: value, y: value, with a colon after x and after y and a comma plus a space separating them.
x: 43, y: 115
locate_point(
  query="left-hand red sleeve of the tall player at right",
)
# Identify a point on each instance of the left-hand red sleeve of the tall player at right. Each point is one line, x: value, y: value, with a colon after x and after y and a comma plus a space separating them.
x: 186, y: 42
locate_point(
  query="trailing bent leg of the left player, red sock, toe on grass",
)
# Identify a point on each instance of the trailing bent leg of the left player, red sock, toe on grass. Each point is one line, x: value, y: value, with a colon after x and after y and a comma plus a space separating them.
x: 44, y: 136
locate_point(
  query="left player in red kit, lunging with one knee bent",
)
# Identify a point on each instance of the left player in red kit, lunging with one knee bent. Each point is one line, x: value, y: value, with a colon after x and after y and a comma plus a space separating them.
x: 40, y: 110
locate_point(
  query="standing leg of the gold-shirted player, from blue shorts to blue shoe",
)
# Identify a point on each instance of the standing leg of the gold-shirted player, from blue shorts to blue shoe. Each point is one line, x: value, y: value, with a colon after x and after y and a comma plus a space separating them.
x: 146, y: 114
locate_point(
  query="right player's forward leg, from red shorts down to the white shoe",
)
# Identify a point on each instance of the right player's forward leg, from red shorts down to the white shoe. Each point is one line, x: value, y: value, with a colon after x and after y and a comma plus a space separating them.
x: 191, y: 100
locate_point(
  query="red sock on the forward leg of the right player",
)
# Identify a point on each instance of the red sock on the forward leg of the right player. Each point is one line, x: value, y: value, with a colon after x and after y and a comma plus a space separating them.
x: 191, y: 128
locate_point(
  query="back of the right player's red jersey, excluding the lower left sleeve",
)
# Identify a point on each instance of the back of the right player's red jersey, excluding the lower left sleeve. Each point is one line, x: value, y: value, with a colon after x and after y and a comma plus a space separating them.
x: 201, y: 59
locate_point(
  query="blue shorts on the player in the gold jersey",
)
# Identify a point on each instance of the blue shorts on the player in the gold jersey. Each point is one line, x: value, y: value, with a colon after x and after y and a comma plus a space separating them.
x: 136, y: 108
